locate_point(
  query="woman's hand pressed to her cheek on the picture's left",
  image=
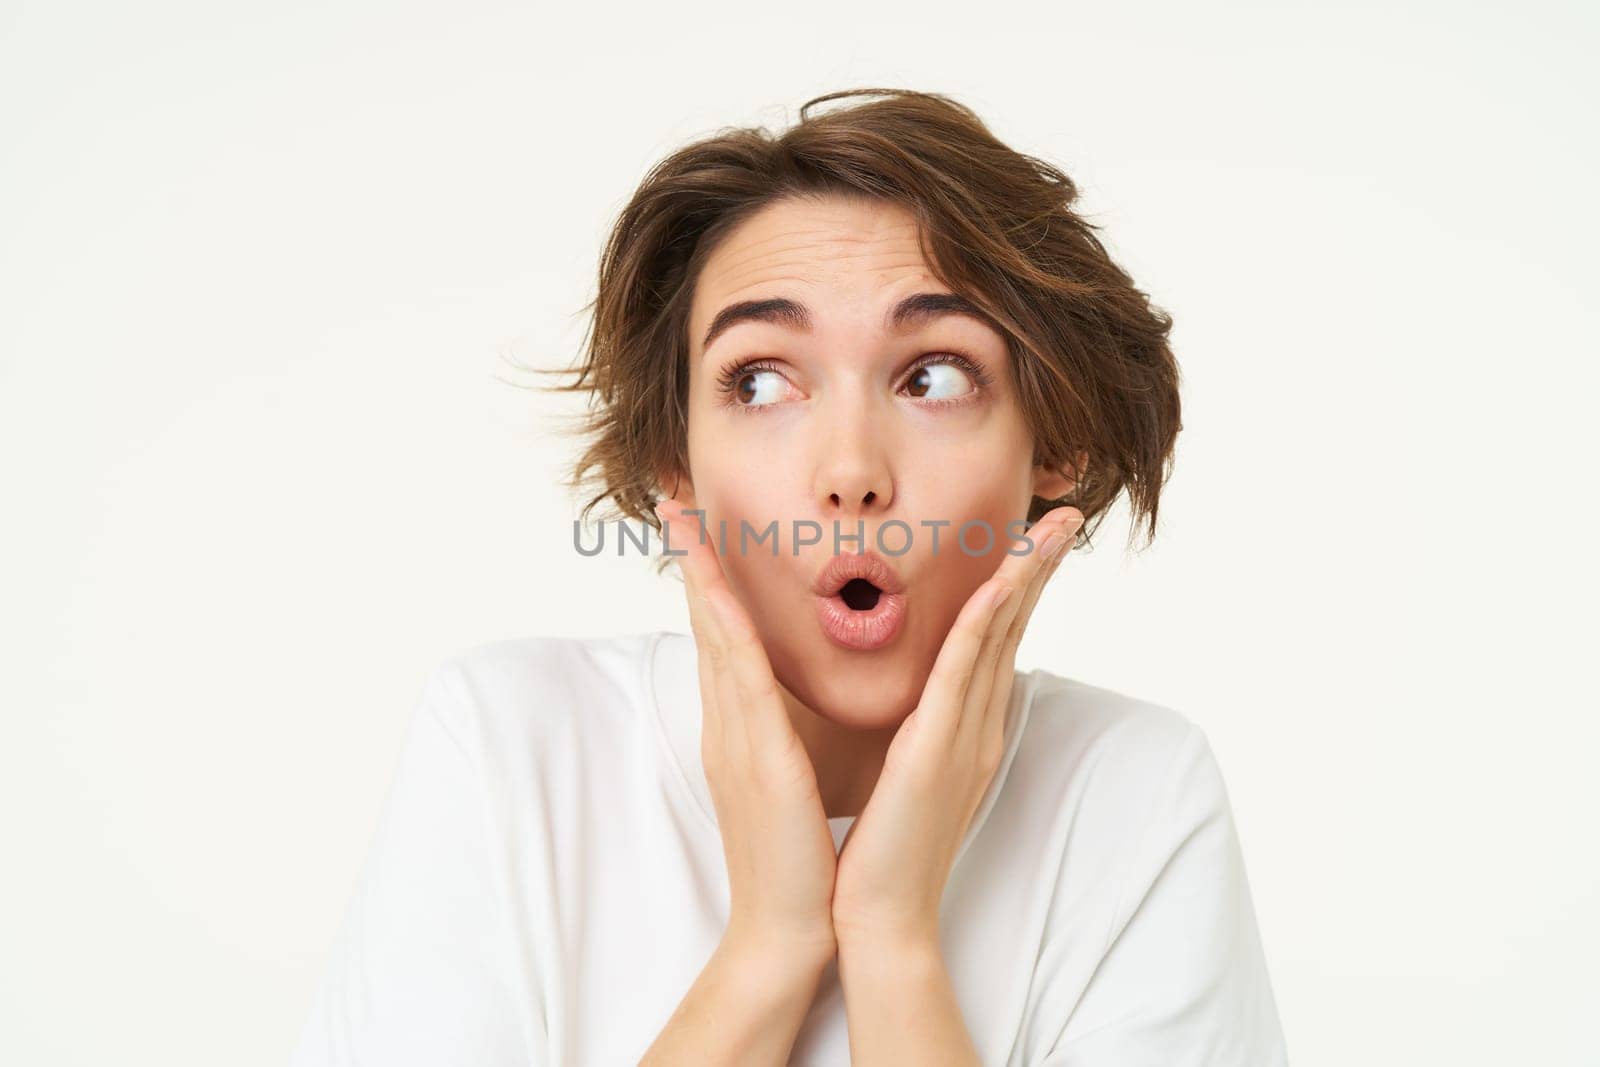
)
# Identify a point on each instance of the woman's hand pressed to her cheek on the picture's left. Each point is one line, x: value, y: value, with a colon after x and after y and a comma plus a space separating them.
x: 775, y: 836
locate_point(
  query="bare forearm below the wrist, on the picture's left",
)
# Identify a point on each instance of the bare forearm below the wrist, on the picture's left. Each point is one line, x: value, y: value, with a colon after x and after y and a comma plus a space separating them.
x: 745, y: 1009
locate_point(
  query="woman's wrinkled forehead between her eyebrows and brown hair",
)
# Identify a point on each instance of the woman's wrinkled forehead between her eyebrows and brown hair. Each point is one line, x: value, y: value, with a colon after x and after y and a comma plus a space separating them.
x: 838, y: 252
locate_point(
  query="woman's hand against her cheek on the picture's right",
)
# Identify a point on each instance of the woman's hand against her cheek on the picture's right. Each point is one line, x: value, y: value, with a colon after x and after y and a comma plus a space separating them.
x: 900, y: 852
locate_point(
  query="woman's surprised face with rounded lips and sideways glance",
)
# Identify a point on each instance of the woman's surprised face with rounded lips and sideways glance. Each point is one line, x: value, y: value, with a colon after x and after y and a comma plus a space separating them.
x: 852, y: 418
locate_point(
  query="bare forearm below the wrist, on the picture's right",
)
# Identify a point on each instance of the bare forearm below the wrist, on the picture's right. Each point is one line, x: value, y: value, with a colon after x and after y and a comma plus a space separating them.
x: 902, y: 1007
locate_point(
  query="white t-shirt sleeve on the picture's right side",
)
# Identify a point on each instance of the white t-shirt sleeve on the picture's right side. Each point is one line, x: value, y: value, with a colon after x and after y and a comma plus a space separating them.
x: 1183, y: 980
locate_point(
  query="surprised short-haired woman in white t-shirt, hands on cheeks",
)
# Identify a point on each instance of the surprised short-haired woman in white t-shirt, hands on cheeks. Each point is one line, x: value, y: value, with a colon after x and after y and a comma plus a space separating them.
x: 834, y: 825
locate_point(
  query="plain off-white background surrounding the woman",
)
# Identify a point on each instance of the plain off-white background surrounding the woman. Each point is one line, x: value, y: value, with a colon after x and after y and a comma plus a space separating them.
x: 266, y: 462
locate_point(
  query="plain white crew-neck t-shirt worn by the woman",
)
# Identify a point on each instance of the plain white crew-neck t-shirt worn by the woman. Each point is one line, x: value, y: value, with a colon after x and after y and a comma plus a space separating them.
x: 548, y: 881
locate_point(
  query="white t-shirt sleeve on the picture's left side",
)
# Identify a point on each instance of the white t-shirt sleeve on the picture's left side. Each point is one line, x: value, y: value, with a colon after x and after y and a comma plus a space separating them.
x: 418, y: 970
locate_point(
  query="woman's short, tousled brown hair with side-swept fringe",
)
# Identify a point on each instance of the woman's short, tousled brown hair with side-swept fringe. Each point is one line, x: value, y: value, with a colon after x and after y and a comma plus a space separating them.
x: 1090, y: 356
